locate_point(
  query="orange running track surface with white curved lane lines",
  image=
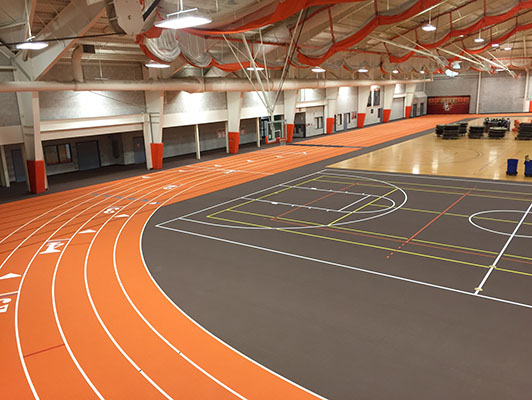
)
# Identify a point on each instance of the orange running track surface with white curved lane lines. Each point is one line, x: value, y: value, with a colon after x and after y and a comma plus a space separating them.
x: 85, y: 319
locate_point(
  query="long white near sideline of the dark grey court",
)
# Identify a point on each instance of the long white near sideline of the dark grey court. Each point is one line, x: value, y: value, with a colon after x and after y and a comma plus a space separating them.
x: 335, y: 264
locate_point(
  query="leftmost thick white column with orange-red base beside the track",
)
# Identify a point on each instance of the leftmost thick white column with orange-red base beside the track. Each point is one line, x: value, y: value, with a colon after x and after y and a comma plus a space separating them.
x: 31, y: 131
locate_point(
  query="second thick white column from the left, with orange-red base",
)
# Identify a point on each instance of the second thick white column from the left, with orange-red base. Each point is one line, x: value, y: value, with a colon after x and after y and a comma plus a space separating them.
x: 155, y: 111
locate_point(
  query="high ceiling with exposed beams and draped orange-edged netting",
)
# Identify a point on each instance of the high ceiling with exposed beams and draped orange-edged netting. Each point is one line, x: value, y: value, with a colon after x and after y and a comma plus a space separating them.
x: 342, y: 36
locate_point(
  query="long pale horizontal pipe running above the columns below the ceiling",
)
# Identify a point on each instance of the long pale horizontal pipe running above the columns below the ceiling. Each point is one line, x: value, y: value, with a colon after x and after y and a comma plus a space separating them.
x: 192, y: 85
